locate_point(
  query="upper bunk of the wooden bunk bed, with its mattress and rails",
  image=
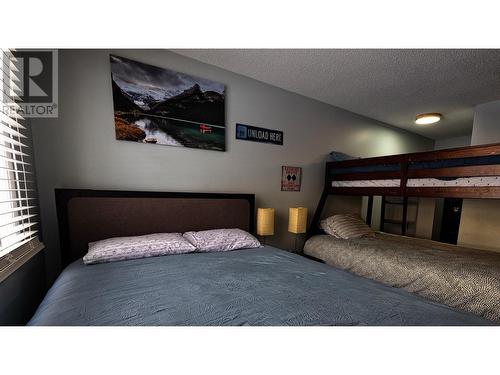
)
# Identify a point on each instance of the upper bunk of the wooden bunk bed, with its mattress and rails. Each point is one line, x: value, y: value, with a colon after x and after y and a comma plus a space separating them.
x: 466, y: 172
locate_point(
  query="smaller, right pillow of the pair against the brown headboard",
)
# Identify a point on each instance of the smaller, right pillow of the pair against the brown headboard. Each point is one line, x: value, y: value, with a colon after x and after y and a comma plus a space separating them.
x: 221, y: 240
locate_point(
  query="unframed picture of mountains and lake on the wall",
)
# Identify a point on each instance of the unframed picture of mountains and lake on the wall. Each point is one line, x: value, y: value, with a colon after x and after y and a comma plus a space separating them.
x: 161, y: 106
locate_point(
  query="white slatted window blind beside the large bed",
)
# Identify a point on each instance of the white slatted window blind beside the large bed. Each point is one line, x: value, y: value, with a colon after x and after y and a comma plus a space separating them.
x: 18, y: 206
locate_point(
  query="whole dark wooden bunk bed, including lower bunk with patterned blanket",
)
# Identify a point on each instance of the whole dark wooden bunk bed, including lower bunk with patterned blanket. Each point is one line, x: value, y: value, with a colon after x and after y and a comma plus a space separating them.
x: 466, y: 279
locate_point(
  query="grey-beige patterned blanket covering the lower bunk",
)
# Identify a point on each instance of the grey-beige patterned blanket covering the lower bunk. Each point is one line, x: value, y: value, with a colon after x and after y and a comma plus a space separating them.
x: 462, y: 278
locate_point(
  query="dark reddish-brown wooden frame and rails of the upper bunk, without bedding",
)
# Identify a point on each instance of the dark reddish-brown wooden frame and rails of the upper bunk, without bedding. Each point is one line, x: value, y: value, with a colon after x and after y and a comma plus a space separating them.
x: 403, y: 173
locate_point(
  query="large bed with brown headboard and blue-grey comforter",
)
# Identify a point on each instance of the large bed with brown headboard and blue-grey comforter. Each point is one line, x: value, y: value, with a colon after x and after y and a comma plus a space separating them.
x: 264, y: 286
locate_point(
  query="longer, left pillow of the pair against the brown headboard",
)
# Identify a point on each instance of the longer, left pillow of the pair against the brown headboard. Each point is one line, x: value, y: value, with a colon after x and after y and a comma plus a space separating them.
x: 150, y: 245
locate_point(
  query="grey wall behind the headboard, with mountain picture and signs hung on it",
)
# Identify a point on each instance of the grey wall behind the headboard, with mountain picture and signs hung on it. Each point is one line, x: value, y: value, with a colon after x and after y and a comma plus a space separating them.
x: 79, y: 150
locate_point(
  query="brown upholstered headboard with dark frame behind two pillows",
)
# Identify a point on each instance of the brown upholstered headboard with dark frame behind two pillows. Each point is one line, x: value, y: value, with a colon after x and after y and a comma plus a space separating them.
x: 90, y: 215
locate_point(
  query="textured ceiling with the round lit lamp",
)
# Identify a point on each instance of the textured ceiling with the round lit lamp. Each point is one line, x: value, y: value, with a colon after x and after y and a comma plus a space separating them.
x: 388, y: 85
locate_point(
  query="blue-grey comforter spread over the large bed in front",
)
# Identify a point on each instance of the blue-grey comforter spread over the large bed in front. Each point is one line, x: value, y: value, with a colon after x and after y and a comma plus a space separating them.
x: 263, y: 286
